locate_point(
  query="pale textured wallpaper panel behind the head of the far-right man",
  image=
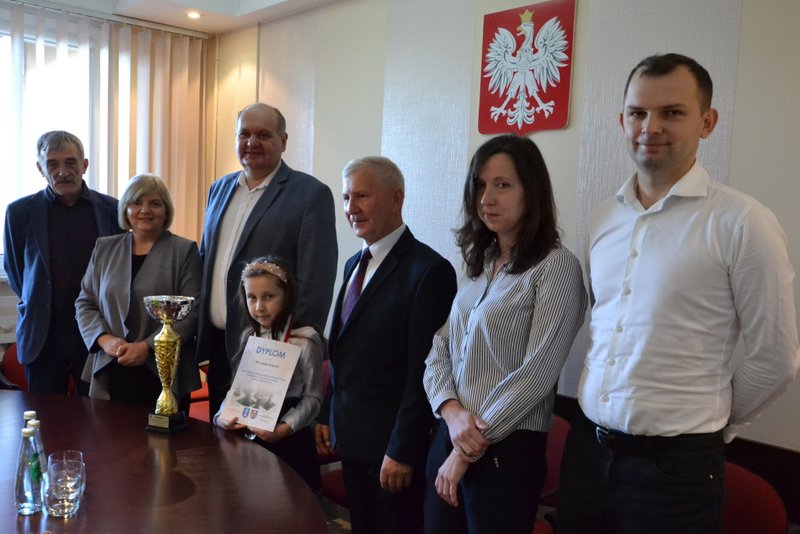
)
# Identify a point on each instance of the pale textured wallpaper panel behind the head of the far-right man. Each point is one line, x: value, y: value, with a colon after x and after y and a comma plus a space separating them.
x: 708, y: 31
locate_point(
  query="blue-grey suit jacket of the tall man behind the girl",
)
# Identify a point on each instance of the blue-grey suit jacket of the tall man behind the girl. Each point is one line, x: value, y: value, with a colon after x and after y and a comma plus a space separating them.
x: 293, y: 219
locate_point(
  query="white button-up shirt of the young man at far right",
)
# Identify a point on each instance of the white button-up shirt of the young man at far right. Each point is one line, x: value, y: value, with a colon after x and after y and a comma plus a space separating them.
x: 673, y: 287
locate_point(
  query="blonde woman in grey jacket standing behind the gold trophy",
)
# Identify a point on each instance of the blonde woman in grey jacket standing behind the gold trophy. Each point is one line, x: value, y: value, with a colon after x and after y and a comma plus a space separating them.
x: 119, y: 334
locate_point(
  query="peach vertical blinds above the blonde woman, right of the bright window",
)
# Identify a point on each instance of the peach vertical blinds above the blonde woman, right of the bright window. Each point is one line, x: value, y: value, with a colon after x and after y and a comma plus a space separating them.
x: 160, y: 107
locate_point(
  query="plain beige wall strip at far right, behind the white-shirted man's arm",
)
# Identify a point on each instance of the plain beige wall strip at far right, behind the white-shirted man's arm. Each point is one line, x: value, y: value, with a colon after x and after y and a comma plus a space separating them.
x: 765, y: 150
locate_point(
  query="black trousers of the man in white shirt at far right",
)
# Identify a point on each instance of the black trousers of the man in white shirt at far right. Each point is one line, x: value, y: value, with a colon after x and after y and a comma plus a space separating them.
x: 661, y: 485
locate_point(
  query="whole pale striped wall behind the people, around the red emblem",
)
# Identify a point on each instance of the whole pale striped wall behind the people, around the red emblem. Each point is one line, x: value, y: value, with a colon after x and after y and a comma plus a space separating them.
x: 401, y: 77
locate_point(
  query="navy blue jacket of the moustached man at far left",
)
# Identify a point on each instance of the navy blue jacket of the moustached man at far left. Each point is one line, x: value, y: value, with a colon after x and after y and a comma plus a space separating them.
x: 27, y: 262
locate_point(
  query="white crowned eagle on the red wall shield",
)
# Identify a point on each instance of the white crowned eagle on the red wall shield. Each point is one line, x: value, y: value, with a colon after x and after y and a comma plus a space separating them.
x: 523, y: 73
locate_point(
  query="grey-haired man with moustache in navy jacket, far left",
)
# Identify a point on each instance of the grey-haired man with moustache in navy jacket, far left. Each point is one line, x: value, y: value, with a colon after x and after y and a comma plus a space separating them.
x: 49, y: 237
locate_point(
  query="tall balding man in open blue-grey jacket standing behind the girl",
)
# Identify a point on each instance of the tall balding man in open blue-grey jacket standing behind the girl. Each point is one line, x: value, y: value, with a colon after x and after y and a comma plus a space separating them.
x: 266, y: 208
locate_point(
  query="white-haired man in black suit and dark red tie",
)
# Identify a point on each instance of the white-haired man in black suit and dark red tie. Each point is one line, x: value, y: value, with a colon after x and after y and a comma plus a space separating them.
x: 379, y: 416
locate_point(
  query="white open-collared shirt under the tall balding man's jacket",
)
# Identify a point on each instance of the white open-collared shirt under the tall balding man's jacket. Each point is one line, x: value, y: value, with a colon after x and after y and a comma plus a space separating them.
x: 236, y: 214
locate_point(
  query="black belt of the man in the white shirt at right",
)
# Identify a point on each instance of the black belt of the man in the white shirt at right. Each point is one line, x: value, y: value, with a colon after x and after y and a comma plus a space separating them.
x: 620, y: 441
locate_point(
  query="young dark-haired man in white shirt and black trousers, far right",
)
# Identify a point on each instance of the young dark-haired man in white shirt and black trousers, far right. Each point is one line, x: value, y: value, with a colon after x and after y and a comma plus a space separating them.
x: 679, y: 266
